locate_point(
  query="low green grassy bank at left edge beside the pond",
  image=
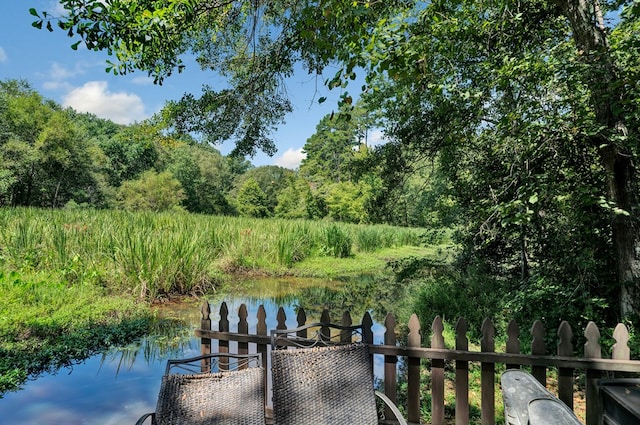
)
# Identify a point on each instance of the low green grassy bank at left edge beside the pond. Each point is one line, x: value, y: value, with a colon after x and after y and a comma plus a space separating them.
x: 46, y: 324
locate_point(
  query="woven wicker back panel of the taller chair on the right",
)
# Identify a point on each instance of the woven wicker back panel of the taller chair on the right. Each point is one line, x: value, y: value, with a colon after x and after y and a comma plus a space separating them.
x: 323, y: 386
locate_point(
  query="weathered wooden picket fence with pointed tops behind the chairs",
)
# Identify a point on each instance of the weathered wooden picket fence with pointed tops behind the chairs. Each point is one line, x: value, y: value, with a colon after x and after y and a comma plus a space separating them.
x: 593, y: 365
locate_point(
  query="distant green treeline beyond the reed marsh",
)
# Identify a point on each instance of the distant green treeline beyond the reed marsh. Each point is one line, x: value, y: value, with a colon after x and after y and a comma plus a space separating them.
x: 58, y: 158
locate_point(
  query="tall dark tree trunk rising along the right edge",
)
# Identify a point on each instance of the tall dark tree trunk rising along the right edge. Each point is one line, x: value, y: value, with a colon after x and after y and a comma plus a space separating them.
x: 591, y: 42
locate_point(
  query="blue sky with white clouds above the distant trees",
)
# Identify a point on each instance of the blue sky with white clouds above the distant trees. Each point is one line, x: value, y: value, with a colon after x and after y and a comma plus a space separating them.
x: 78, y: 79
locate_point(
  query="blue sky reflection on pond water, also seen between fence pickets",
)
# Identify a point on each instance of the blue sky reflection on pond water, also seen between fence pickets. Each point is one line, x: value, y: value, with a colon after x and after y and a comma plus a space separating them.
x: 118, y: 388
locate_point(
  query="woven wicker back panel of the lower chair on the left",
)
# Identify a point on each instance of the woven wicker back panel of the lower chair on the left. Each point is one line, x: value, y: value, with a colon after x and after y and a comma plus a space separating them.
x: 230, y: 398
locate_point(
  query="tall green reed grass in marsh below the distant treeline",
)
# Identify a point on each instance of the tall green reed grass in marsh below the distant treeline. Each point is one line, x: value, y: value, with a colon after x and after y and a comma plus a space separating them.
x: 154, y: 255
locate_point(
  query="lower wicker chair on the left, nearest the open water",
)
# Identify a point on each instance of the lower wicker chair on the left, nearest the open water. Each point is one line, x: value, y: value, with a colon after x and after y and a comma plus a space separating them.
x: 229, y: 392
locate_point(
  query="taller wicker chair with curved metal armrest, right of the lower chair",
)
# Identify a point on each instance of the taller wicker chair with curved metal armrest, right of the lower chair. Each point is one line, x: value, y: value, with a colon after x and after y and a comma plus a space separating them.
x: 326, y: 380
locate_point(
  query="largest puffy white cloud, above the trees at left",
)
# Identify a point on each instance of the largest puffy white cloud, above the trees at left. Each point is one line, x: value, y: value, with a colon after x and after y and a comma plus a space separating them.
x: 94, y: 97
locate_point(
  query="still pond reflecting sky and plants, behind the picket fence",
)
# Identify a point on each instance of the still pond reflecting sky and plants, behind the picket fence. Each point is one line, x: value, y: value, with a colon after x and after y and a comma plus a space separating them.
x: 119, y: 386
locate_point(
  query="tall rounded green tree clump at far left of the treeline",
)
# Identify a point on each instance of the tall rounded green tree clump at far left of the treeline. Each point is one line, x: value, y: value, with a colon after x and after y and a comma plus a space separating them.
x: 45, y: 160
